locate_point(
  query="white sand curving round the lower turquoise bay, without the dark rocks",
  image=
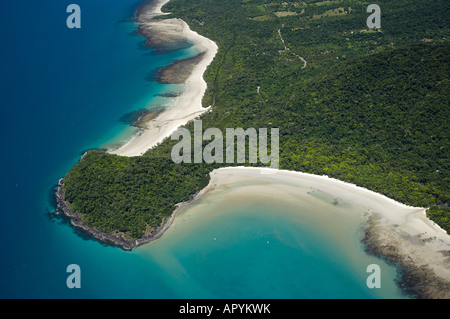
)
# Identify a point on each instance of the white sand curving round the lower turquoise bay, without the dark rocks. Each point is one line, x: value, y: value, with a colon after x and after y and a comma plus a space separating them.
x: 404, y: 226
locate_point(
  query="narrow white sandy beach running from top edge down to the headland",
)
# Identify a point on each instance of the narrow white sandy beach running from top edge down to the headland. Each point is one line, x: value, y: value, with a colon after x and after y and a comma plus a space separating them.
x: 188, y: 105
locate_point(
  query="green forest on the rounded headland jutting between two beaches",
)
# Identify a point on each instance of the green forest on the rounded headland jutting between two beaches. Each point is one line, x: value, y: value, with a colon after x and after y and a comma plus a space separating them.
x: 127, y: 195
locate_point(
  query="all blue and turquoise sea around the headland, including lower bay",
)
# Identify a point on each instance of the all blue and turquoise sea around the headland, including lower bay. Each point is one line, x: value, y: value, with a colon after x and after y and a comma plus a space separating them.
x: 65, y: 91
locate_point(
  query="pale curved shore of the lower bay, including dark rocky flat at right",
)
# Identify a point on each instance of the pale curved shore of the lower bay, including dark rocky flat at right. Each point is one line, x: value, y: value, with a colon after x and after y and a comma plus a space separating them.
x: 400, y: 234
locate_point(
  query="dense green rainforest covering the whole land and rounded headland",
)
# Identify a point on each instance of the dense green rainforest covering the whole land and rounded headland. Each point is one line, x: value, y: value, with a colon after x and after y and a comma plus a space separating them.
x: 370, y: 107
